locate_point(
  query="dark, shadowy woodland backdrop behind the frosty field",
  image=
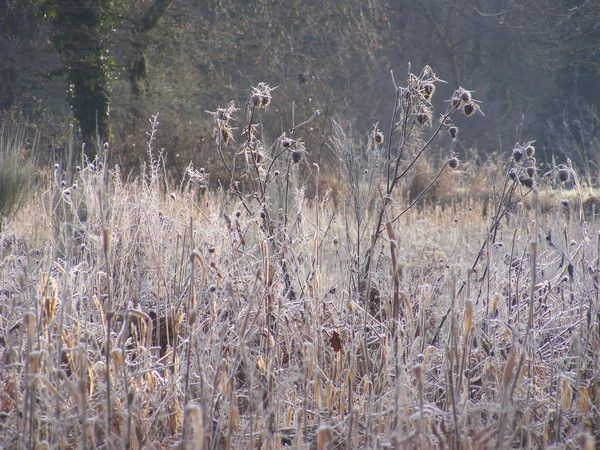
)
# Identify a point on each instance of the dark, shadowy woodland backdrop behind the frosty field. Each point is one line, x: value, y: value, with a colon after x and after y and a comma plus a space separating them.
x: 535, y: 64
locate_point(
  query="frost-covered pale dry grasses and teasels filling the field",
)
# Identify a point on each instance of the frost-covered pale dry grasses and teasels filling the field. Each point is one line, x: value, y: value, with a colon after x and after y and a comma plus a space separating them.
x: 152, y: 314
